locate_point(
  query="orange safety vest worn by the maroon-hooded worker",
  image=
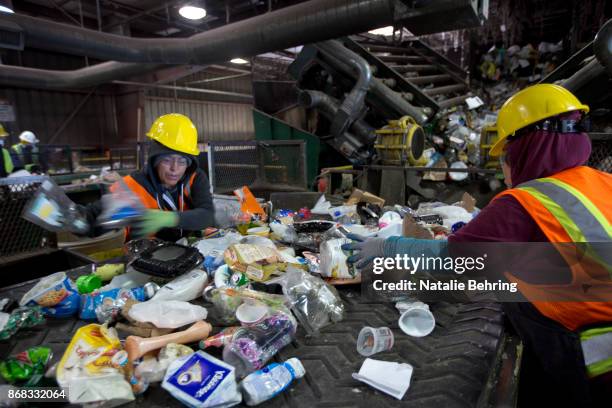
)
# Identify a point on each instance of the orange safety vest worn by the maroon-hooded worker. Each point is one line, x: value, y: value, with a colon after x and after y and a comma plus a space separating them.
x: 570, y: 207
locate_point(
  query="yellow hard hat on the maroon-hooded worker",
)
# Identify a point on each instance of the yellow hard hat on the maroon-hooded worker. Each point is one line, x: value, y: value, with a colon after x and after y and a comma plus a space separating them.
x: 530, y: 106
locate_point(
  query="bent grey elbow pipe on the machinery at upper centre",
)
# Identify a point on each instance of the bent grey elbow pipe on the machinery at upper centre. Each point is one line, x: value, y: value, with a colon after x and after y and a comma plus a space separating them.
x: 353, y: 103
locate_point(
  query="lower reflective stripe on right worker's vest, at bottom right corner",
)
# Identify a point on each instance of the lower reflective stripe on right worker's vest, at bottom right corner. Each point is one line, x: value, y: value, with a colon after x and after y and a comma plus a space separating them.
x: 597, y: 350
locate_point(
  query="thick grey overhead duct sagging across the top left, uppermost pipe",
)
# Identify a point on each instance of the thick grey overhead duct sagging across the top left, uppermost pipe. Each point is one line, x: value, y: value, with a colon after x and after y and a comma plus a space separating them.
x: 311, y: 21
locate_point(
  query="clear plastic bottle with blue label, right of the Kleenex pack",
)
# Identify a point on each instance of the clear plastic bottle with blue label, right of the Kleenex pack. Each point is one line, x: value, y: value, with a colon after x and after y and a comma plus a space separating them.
x: 270, y: 381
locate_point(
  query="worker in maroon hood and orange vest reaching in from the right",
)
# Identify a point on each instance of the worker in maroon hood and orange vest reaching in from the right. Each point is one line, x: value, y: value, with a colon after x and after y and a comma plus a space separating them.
x: 552, y: 197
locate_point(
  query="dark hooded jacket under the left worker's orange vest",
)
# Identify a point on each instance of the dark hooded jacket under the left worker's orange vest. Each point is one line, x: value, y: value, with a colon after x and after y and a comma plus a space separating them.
x: 201, y: 213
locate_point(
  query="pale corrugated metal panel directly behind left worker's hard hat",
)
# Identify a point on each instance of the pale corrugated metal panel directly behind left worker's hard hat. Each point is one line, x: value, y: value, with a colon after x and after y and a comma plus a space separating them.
x: 214, y: 120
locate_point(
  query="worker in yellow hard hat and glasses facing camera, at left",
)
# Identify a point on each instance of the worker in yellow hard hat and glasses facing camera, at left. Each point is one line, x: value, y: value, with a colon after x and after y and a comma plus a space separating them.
x: 172, y: 187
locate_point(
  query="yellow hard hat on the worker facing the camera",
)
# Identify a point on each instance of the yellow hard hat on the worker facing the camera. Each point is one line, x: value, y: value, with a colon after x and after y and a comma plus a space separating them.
x: 176, y: 132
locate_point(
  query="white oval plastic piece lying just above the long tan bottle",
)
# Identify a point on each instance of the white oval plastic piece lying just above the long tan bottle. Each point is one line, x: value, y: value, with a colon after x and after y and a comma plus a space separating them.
x: 170, y: 314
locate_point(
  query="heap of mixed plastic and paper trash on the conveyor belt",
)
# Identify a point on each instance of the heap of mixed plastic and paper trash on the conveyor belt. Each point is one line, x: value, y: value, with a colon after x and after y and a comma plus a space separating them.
x: 149, y: 322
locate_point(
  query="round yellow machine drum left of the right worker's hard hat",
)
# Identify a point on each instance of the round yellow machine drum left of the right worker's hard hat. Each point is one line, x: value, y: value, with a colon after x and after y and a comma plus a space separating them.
x: 401, y: 142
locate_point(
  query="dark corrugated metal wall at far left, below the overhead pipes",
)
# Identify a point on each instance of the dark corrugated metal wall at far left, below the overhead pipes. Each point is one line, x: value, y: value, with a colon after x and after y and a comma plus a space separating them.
x: 44, y: 112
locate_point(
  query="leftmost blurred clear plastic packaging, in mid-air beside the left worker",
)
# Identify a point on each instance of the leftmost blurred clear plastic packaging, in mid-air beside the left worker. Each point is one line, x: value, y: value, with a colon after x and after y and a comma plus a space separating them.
x: 52, y: 210
